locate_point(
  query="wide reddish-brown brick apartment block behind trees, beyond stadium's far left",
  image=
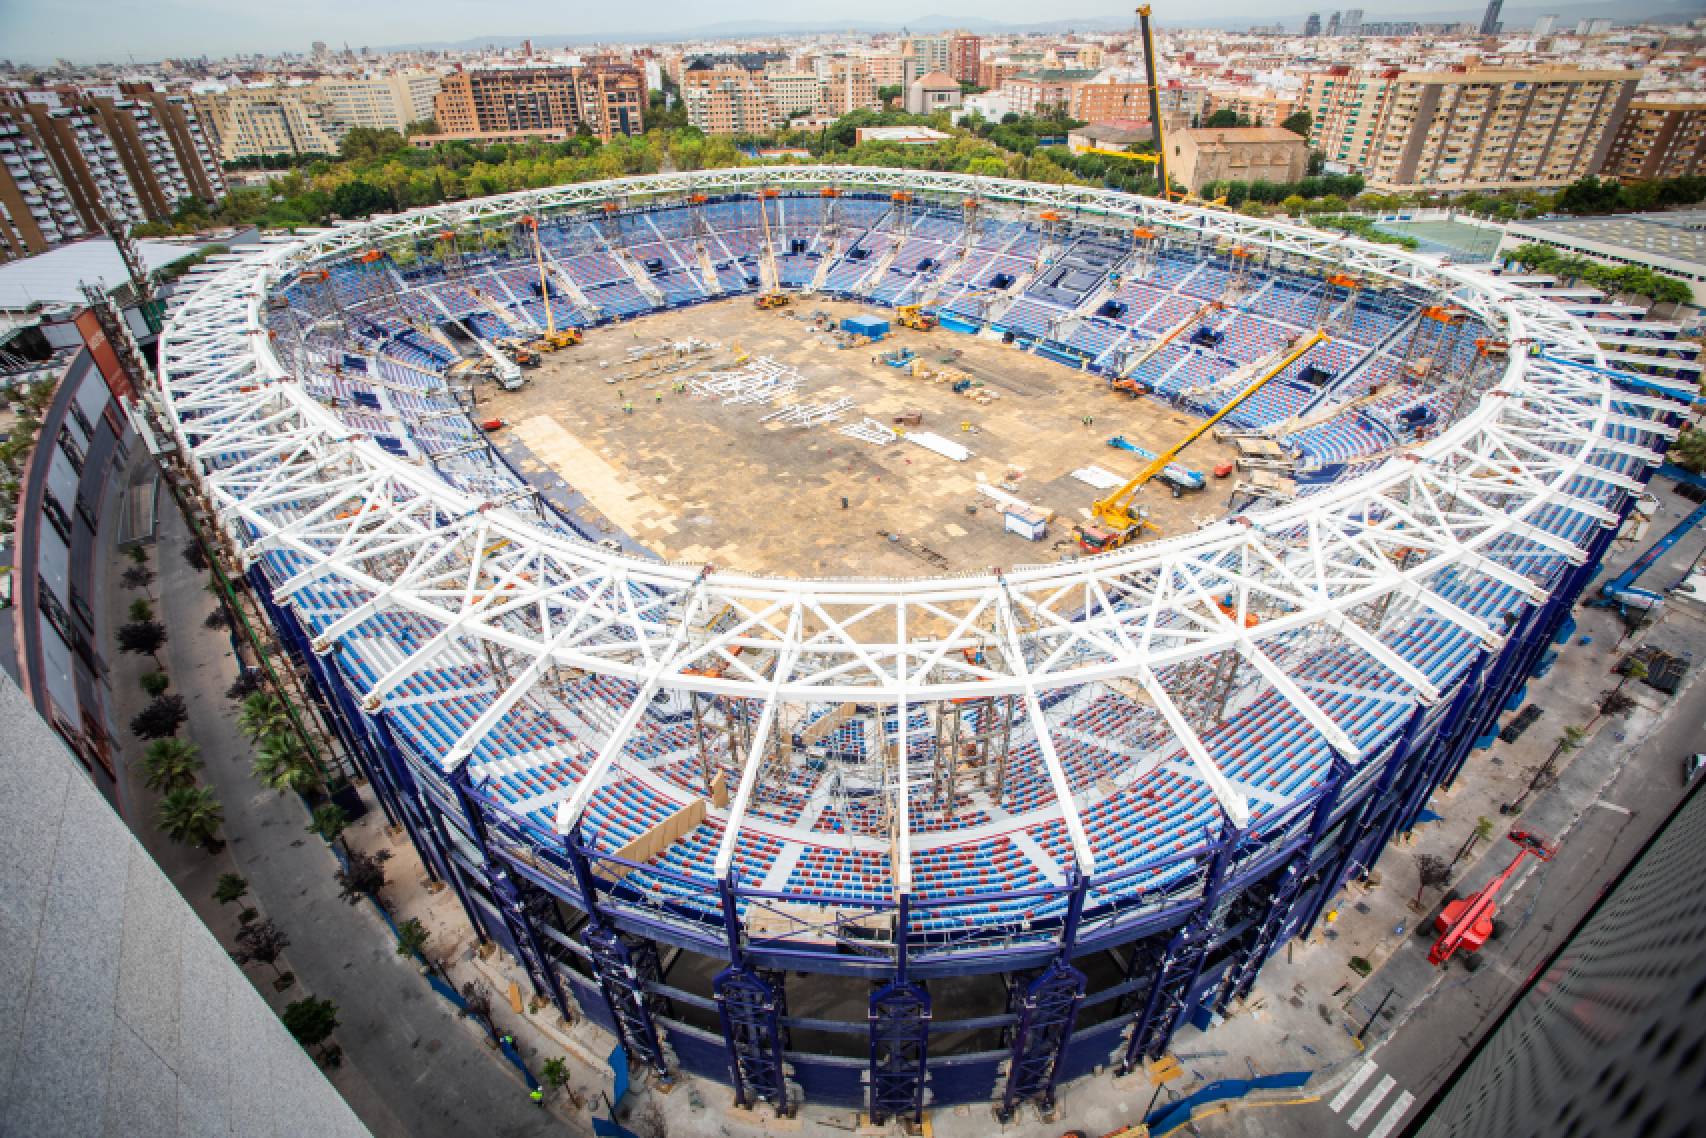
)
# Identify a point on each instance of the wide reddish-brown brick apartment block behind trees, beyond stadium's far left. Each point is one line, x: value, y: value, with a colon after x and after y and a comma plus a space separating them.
x: 605, y: 98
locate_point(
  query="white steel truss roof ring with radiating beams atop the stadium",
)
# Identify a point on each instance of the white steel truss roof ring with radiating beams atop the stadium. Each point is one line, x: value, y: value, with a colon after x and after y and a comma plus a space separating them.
x: 287, y: 477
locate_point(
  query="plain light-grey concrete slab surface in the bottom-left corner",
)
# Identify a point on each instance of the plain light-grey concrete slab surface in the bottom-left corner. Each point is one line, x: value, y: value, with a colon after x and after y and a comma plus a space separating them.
x: 120, y: 1014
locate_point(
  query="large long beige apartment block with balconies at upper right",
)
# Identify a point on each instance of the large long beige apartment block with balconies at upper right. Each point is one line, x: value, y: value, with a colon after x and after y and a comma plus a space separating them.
x: 1468, y: 129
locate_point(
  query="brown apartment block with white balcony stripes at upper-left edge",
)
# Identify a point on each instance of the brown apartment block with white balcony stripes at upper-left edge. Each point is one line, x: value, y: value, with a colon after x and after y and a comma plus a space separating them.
x: 76, y: 158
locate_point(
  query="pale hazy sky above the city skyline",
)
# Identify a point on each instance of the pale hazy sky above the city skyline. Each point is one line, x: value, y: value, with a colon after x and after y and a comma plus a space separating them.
x: 149, y: 30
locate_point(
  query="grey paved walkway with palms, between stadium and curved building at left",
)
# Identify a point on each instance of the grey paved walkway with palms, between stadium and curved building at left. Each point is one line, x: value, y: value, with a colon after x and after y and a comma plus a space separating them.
x: 410, y: 1067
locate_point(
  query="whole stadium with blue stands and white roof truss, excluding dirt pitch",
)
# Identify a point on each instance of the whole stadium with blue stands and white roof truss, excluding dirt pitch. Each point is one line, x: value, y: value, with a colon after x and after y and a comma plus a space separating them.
x: 929, y: 840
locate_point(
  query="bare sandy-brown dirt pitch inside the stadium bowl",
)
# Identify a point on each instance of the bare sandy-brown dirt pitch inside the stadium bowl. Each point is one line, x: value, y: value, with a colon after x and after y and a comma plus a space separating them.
x: 699, y: 480
